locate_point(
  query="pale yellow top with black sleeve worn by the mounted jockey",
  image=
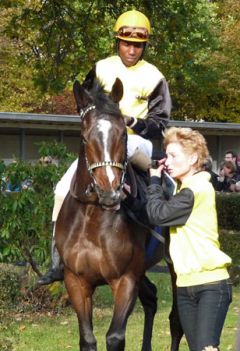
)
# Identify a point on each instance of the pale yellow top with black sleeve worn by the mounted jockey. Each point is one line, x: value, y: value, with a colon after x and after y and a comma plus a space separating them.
x: 139, y: 82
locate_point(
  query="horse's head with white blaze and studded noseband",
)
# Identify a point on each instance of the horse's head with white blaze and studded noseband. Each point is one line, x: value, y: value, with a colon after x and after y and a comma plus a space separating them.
x: 104, y: 136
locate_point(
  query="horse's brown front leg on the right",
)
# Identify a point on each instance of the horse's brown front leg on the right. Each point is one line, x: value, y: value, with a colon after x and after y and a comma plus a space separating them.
x: 125, y: 295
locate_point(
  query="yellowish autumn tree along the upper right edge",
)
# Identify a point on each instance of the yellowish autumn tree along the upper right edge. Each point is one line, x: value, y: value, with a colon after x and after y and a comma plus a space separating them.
x: 226, y: 61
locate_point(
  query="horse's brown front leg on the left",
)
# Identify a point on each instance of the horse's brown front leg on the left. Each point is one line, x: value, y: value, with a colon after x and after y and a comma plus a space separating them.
x: 81, y: 297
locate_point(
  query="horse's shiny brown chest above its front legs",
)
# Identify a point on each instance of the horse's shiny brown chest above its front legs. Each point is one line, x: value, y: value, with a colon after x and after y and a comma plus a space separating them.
x: 102, y: 246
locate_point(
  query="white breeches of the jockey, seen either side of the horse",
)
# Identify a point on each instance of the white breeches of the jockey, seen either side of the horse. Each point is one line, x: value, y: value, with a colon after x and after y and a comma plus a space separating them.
x: 134, y: 143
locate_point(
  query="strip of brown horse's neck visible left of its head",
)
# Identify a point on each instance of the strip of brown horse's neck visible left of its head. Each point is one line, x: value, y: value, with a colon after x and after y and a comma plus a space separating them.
x: 81, y: 182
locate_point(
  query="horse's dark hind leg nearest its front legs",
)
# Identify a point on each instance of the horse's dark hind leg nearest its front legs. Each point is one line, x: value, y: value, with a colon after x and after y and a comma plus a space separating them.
x: 148, y: 297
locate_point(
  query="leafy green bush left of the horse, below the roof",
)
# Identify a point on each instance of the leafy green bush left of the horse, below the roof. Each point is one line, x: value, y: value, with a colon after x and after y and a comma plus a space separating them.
x: 25, y: 224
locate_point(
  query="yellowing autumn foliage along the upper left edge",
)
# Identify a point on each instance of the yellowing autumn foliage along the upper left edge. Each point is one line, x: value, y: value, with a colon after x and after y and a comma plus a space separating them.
x: 17, y: 91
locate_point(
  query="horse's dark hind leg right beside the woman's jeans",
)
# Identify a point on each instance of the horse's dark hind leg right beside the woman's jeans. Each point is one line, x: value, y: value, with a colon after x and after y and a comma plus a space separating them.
x: 175, y: 325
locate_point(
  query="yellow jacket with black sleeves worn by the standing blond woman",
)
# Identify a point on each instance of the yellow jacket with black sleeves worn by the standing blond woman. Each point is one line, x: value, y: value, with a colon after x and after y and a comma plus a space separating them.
x: 191, y: 215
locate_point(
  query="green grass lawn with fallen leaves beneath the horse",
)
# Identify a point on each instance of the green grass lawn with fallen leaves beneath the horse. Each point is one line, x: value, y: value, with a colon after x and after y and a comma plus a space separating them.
x: 59, y: 332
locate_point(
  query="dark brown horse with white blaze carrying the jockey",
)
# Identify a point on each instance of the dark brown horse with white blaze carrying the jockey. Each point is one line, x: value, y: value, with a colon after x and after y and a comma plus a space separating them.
x: 97, y: 241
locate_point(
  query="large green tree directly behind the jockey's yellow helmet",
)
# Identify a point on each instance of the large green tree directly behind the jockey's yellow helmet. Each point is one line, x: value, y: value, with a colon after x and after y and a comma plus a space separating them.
x: 62, y: 39
